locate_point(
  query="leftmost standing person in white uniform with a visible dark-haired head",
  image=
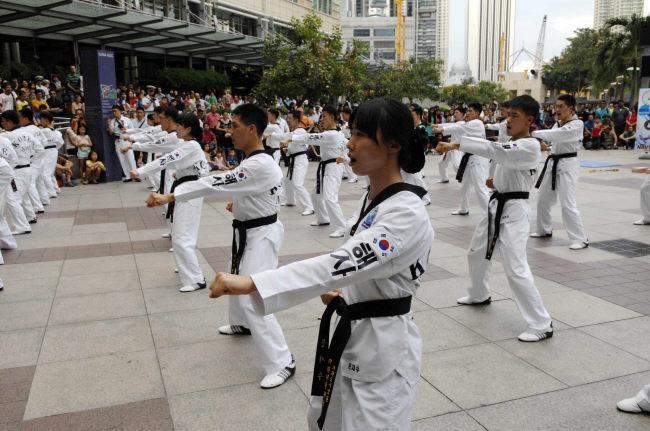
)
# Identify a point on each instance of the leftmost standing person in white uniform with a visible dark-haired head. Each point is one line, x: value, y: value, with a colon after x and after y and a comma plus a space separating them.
x: 25, y: 146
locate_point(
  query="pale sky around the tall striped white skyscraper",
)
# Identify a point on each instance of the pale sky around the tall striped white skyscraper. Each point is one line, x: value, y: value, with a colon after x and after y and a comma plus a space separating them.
x: 564, y: 17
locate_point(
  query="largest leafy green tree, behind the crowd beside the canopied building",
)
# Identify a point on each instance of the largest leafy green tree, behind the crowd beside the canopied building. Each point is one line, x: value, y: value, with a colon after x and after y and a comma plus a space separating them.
x: 311, y: 65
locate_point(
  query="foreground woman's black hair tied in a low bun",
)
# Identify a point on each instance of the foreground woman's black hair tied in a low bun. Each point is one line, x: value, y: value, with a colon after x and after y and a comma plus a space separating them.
x: 395, y: 122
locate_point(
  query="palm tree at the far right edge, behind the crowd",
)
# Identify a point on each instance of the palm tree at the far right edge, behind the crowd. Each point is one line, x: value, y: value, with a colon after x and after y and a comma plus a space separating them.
x: 619, y: 48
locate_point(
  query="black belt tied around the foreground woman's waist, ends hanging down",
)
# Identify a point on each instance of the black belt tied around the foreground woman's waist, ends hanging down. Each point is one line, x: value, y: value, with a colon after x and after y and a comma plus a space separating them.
x: 328, y: 354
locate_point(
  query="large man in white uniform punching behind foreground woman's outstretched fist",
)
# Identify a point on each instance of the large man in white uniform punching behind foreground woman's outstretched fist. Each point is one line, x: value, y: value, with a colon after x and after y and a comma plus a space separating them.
x: 257, y: 234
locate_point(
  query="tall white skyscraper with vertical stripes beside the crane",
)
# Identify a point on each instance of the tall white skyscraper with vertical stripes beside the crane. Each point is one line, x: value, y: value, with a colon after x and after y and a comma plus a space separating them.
x: 487, y: 23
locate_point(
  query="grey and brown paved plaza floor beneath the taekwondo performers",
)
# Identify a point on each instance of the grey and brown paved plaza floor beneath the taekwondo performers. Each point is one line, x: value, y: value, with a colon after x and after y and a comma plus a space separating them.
x: 94, y: 334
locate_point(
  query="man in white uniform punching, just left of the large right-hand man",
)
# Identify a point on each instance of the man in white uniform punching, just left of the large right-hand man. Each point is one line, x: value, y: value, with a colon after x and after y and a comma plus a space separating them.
x: 472, y: 170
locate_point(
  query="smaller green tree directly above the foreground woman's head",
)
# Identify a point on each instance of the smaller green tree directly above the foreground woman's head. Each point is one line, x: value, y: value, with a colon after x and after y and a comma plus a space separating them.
x: 411, y: 78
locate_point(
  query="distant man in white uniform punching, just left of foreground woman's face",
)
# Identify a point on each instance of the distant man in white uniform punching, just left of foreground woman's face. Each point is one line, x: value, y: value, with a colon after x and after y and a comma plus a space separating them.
x: 328, y: 175
